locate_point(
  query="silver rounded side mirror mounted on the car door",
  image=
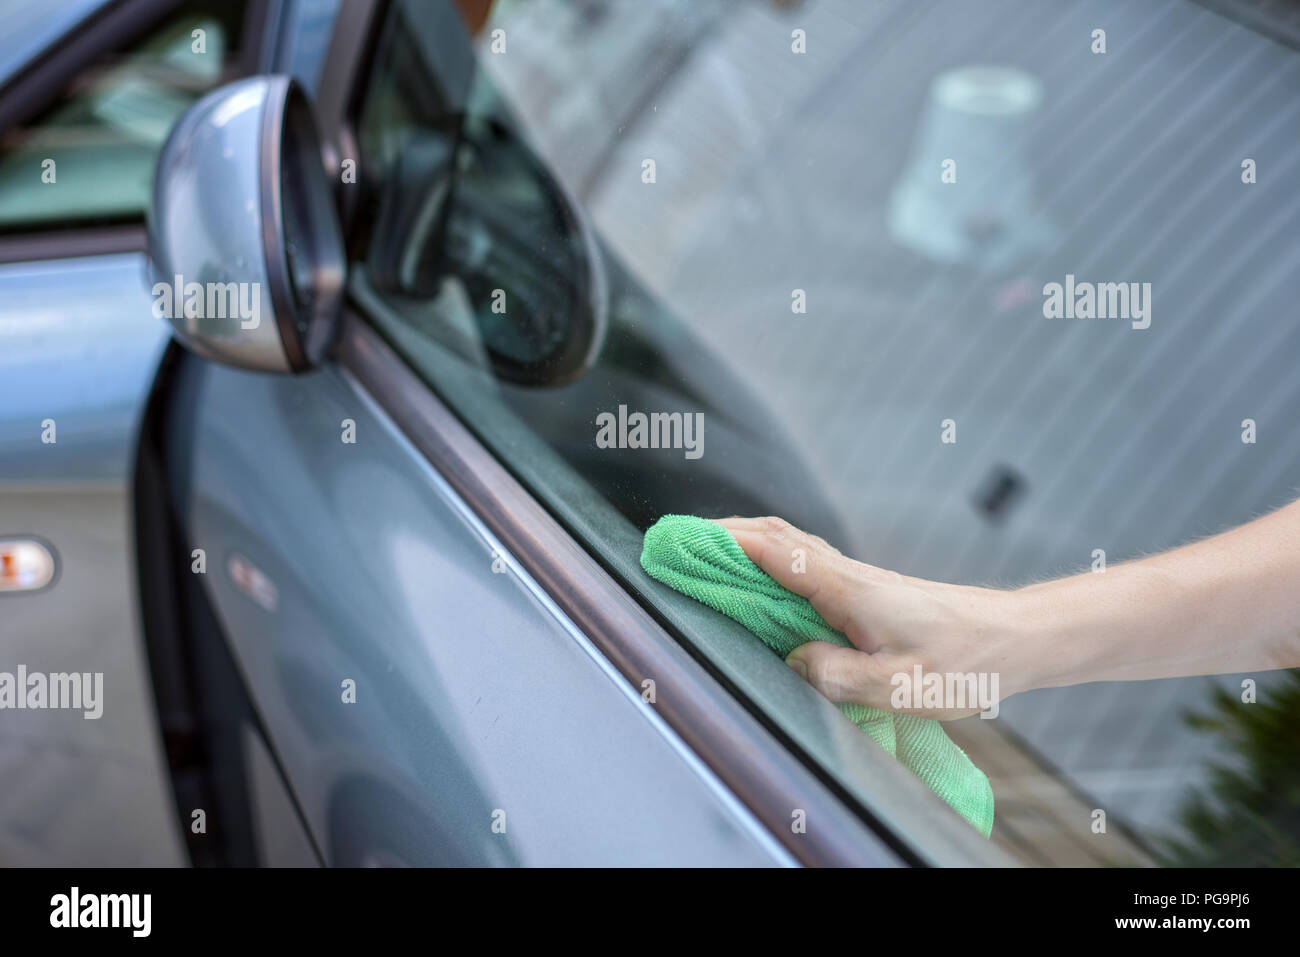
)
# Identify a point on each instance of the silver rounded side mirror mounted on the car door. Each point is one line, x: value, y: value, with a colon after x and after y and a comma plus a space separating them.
x: 246, y: 252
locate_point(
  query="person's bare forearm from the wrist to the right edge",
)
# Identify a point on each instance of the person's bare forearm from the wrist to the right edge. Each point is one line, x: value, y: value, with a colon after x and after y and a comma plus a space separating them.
x: 1228, y: 604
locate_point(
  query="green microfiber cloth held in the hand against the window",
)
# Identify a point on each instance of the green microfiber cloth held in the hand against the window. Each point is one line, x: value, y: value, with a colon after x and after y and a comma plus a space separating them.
x: 701, y: 560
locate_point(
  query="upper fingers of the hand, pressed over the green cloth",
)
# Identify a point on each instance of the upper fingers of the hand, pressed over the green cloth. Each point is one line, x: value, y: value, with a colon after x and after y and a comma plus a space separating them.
x: 803, y: 564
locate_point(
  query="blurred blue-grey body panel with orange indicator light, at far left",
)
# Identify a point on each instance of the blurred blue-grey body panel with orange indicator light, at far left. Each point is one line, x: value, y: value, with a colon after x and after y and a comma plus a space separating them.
x: 79, y: 347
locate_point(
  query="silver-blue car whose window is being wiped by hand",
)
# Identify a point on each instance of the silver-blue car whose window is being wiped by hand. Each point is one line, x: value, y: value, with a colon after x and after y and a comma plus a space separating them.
x: 311, y: 313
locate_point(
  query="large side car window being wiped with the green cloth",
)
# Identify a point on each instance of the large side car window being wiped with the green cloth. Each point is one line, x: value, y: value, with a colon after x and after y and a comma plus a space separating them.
x: 736, y: 211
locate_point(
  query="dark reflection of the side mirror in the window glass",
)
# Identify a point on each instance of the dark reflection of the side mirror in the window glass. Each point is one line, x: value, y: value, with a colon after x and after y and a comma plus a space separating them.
x: 469, y: 215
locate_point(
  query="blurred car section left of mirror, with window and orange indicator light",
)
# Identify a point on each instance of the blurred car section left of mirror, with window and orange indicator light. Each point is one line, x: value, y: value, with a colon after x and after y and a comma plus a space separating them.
x: 88, y: 93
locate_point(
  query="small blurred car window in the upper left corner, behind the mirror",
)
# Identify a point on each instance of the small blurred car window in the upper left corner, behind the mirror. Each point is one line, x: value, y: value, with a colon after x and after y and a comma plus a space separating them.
x: 90, y: 157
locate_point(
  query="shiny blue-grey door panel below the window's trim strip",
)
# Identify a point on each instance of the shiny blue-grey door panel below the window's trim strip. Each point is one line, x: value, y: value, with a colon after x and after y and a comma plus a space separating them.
x: 476, y: 701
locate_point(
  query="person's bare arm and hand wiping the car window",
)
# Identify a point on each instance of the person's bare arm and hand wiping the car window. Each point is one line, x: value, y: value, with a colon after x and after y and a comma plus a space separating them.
x: 1228, y: 604
